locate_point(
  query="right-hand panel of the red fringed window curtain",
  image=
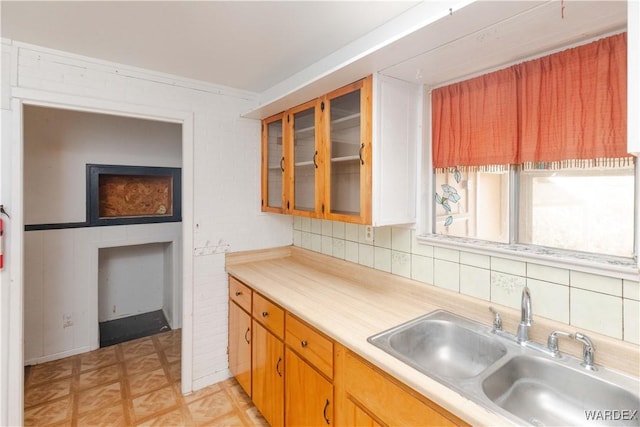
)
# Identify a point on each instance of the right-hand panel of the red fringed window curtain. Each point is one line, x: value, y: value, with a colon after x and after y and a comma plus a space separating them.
x: 573, y: 104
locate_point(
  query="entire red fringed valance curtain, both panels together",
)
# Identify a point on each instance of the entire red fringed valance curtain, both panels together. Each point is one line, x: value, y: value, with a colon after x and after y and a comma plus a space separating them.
x: 563, y: 109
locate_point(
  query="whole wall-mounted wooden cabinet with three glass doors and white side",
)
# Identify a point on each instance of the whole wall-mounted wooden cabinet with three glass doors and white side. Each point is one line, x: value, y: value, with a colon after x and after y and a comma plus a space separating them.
x: 339, y: 162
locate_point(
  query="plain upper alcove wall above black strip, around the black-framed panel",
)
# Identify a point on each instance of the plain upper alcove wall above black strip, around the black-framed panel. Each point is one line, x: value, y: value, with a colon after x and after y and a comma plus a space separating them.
x: 59, y: 143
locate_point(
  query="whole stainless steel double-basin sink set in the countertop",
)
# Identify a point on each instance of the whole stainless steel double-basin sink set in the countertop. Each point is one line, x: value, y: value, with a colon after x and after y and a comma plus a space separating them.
x: 521, y: 384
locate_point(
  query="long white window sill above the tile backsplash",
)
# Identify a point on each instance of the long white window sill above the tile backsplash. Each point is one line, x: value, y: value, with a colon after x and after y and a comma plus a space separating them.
x: 619, y: 267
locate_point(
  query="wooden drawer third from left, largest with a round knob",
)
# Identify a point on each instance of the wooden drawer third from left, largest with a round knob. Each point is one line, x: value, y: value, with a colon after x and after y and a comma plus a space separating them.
x: 310, y: 344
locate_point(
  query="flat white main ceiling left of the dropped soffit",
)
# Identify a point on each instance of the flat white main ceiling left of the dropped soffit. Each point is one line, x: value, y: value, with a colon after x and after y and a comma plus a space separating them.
x: 248, y: 45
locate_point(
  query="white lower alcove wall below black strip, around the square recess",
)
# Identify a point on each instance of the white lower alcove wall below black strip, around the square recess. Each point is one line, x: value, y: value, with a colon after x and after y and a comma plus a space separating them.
x: 61, y: 283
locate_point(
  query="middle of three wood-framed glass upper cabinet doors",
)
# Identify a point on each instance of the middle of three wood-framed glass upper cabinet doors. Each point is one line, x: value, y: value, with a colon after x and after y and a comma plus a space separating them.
x: 306, y: 159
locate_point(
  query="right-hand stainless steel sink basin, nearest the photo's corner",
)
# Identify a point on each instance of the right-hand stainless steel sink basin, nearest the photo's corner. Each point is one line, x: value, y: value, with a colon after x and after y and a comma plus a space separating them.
x: 544, y: 392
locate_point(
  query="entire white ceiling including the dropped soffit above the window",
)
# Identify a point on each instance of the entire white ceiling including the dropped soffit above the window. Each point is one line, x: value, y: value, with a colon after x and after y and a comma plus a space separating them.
x: 288, y: 52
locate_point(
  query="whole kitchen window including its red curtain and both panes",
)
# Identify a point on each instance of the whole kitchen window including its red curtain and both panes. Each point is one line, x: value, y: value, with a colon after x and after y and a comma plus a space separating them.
x: 535, y: 154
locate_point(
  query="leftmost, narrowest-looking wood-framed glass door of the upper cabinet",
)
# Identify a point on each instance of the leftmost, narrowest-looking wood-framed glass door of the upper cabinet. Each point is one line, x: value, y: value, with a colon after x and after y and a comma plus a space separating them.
x: 273, y: 164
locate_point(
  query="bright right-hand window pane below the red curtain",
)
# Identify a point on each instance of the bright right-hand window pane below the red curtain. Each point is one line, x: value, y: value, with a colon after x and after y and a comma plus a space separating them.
x: 582, y: 209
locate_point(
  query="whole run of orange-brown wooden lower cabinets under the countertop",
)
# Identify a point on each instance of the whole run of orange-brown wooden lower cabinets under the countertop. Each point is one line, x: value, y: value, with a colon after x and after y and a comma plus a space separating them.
x: 304, y: 378
